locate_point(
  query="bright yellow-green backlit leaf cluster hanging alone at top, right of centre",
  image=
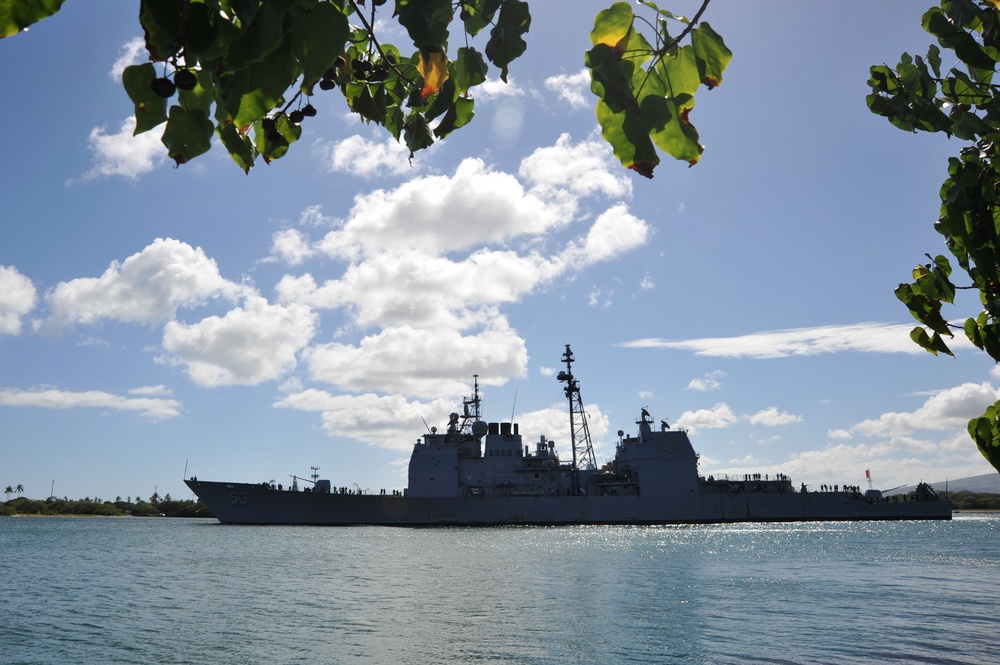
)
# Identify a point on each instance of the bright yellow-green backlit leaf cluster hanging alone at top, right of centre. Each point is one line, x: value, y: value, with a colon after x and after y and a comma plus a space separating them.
x: 646, y: 85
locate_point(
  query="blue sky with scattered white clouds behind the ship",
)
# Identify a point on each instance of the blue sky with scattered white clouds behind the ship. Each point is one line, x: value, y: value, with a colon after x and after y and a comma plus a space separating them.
x: 159, y: 321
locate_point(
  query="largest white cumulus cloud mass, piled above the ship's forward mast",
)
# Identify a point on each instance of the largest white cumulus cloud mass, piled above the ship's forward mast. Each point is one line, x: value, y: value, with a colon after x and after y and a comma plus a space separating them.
x: 430, y: 264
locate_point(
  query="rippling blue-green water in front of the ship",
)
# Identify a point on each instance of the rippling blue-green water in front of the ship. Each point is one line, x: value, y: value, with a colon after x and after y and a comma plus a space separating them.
x: 135, y: 590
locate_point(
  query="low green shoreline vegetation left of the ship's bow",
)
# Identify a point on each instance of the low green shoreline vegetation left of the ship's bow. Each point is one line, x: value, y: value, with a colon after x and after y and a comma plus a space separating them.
x: 155, y: 506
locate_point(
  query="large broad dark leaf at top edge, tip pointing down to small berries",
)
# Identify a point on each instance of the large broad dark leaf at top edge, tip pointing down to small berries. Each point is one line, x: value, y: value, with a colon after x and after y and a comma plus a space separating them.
x: 317, y: 38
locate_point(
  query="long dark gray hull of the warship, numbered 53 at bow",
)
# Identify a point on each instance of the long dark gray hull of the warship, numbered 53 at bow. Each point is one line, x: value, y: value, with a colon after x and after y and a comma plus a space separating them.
x: 243, y: 503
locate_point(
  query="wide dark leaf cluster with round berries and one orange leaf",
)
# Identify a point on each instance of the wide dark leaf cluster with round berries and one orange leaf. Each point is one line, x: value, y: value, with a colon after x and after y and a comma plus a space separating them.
x: 247, y: 70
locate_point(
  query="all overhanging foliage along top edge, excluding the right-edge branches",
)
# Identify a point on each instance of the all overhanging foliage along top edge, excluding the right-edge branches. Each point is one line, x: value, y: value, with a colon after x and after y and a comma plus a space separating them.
x: 248, y: 71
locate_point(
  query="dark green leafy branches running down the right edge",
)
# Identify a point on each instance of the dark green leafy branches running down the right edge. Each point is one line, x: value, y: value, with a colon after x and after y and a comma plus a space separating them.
x: 961, y: 101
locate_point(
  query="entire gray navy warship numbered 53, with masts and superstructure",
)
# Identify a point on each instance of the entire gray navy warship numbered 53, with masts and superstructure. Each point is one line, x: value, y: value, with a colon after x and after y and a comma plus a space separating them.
x: 476, y: 473
